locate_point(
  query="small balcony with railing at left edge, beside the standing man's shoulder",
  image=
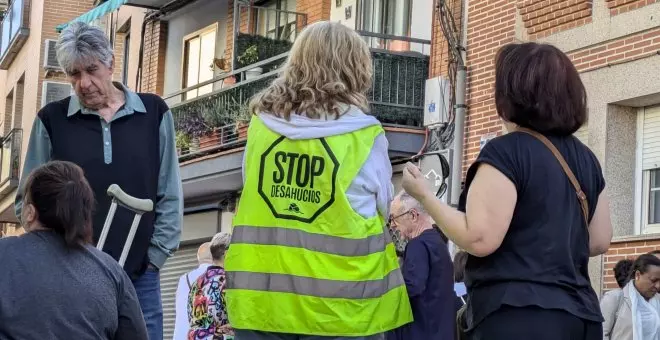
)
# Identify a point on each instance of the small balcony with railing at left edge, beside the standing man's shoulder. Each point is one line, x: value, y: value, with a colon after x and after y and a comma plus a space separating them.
x: 10, y: 154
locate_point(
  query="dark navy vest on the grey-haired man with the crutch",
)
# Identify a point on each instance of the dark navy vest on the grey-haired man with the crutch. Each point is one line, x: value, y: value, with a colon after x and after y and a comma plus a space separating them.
x: 135, y: 167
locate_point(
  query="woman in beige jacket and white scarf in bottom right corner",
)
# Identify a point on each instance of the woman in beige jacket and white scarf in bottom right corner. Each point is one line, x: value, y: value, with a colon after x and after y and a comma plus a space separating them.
x: 635, y: 309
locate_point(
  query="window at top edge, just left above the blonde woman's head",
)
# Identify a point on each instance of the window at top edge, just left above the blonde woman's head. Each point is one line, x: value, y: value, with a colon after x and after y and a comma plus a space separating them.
x: 278, y: 21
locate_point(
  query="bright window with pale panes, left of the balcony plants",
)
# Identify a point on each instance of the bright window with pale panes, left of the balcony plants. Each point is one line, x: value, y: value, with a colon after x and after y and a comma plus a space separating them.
x: 199, y: 53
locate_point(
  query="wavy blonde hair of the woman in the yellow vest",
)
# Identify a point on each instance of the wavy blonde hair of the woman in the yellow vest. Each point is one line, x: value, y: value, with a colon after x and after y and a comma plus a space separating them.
x: 329, y: 65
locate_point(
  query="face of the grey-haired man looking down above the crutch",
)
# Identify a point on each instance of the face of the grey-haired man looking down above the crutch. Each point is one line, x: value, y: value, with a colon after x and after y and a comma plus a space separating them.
x: 92, y: 82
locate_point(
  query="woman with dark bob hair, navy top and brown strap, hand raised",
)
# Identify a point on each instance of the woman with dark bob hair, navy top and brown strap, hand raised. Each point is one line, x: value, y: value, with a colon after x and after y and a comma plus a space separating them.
x: 529, y: 230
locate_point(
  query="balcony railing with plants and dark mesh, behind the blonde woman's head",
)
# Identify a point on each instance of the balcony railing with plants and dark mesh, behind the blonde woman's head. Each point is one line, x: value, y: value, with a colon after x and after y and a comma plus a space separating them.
x: 217, y: 120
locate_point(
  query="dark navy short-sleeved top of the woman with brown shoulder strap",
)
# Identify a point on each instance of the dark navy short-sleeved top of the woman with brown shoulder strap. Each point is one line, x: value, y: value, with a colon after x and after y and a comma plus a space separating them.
x: 544, y: 257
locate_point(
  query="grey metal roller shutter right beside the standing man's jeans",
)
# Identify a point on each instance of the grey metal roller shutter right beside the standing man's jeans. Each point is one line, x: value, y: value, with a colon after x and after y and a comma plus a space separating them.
x: 183, y: 261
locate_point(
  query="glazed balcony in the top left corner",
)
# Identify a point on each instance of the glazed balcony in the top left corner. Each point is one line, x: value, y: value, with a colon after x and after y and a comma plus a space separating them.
x: 14, y: 31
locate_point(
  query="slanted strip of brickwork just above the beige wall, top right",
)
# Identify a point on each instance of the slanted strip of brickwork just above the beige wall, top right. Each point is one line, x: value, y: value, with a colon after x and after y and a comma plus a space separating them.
x: 633, y: 47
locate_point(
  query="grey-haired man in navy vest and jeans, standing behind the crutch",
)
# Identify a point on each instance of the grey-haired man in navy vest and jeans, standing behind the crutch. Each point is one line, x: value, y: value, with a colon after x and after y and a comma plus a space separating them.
x: 118, y: 137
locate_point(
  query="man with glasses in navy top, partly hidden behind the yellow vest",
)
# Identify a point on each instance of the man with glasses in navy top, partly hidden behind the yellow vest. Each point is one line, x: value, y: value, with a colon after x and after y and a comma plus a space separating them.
x: 428, y: 272
